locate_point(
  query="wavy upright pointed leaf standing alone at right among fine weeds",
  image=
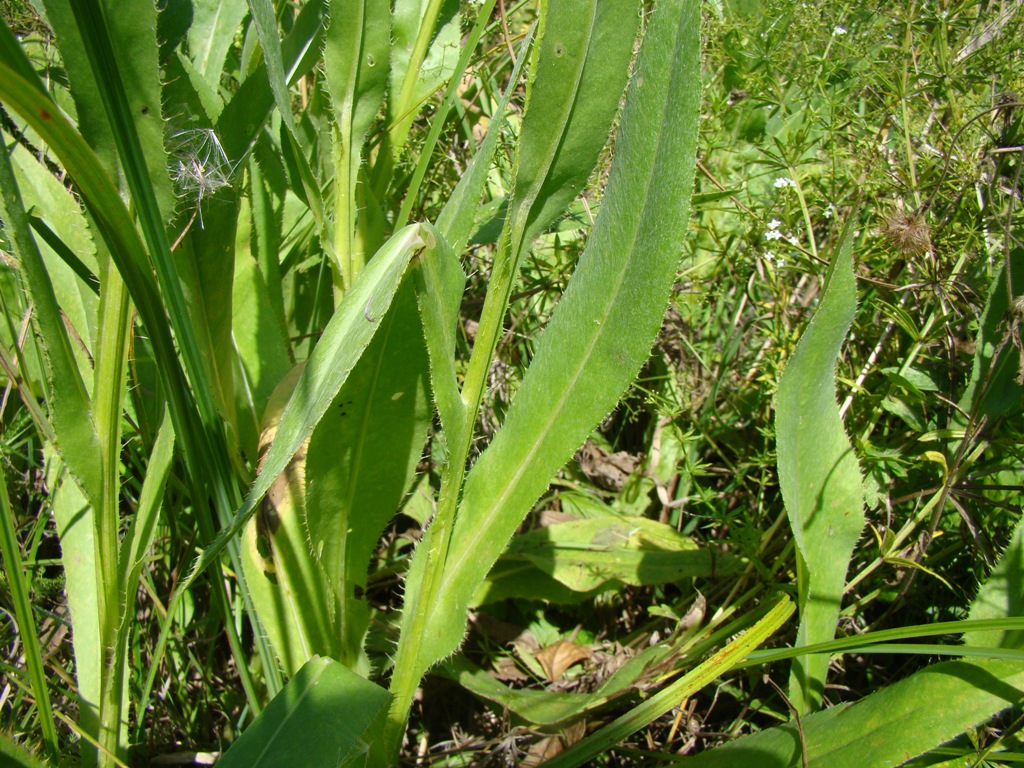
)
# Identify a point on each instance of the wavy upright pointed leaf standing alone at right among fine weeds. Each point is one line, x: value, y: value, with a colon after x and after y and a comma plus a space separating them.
x: 819, y: 473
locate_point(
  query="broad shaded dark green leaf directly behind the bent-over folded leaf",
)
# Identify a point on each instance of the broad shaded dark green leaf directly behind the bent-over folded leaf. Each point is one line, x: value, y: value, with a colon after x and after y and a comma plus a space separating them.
x: 362, y: 459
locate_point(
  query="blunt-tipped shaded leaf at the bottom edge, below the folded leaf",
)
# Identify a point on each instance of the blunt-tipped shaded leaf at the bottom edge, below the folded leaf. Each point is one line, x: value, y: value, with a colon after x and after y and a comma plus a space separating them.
x: 321, y: 718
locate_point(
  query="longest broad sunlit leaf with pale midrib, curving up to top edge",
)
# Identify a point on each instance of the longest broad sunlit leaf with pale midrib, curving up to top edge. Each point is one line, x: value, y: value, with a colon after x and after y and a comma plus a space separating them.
x: 604, y: 327
